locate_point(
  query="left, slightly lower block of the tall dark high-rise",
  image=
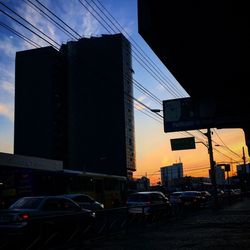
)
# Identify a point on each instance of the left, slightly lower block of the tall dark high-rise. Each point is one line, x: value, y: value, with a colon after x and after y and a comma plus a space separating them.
x: 38, y: 72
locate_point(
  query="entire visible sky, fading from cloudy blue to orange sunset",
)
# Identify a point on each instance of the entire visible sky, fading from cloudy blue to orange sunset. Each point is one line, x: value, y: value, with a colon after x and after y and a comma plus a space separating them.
x: 153, y: 149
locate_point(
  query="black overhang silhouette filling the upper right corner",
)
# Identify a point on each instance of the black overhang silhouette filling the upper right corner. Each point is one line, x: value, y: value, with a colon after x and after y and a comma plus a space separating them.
x: 205, y: 44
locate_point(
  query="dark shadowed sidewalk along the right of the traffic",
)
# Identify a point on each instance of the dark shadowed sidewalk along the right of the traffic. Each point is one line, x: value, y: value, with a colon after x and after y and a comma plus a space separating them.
x: 227, y: 228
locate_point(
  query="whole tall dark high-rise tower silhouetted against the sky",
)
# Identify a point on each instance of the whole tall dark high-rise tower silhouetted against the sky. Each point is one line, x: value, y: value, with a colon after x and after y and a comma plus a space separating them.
x: 75, y: 105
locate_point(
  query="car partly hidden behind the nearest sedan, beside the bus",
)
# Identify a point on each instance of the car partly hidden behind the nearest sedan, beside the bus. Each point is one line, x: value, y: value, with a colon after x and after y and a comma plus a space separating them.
x: 85, y: 201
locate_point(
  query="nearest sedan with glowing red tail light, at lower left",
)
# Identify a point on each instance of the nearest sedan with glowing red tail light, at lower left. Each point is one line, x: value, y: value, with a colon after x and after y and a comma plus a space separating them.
x: 43, y: 219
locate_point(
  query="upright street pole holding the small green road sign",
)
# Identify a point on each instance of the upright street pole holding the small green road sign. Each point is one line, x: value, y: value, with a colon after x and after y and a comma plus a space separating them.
x: 212, y: 167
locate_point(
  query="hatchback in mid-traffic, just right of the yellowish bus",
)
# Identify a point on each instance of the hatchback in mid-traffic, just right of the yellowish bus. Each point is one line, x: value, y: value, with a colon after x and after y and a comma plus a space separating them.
x: 148, y: 203
